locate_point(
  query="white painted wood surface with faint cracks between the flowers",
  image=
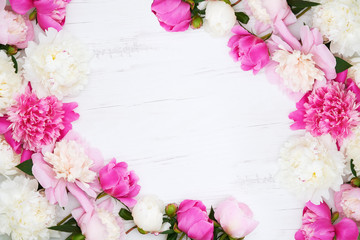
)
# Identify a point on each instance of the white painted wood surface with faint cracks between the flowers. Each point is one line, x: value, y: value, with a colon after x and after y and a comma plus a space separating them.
x: 183, y: 115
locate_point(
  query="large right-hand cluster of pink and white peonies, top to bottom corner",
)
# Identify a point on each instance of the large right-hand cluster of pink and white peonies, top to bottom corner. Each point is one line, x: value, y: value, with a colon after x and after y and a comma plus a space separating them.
x: 316, y: 63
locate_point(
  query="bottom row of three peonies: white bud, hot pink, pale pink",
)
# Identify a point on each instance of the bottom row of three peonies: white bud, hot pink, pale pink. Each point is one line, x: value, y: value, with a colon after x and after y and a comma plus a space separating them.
x: 190, y: 218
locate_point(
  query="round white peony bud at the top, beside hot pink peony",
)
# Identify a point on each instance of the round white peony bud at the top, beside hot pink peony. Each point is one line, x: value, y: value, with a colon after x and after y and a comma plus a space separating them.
x: 219, y: 18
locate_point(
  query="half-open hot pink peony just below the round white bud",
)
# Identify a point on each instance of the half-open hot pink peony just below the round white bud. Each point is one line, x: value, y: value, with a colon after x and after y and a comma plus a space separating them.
x: 250, y: 50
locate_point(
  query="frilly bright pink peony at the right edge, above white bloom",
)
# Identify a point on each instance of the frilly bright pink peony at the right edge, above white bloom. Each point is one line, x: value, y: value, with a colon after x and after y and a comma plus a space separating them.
x: 333, y: 109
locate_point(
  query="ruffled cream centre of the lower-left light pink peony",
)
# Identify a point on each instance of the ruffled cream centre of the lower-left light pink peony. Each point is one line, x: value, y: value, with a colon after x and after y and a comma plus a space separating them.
x: 62, y: 161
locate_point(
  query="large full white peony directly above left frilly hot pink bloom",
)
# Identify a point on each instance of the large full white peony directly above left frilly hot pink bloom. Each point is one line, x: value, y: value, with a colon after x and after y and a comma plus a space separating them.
x: 58, y: 65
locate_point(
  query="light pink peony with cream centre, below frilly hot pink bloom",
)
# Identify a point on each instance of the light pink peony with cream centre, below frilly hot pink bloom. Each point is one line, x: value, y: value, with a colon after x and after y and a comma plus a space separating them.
x: 71, y: 165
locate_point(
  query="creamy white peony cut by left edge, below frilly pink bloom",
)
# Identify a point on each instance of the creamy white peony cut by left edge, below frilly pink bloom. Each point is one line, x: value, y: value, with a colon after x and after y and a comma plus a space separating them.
x: 8, y: 159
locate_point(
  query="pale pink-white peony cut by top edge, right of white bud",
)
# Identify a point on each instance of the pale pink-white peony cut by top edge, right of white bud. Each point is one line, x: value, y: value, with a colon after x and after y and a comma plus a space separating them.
x: 268, y: 12
